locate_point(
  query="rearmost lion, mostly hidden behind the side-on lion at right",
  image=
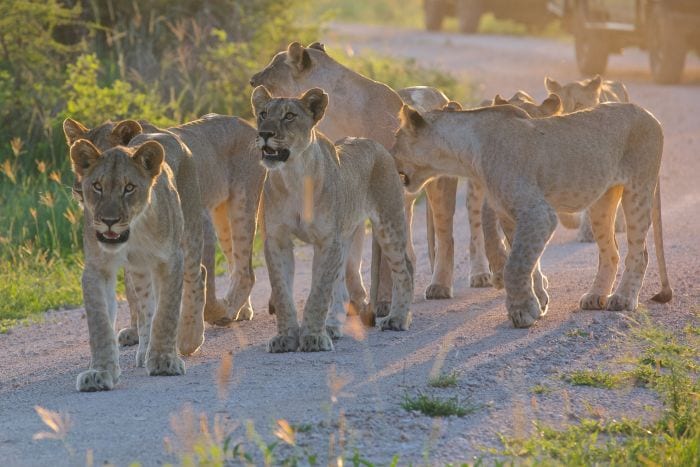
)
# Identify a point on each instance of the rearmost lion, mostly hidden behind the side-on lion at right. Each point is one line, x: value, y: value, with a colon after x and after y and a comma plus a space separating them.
x: 579, y: 95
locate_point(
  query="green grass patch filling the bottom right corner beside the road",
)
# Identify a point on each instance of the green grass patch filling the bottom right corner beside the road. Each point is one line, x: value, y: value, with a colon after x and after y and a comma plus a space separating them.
x: 667, y: 365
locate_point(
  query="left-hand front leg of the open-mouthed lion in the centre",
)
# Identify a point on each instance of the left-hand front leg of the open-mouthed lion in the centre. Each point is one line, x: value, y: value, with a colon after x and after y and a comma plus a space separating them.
x: 279, y: 256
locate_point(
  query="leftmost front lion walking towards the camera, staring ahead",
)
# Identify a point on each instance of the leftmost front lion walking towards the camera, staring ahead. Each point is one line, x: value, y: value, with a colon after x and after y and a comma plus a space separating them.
x: 133, y: 216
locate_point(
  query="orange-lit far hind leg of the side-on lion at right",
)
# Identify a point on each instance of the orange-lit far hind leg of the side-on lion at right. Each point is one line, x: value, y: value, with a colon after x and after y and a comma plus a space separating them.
x: 602, y: 215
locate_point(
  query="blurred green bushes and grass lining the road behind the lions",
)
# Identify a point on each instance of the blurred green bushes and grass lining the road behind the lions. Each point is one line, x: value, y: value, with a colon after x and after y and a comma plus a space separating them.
x: 167, y: 61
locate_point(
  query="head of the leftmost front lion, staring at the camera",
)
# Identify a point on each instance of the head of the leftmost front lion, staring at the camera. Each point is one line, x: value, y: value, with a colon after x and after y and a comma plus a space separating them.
x: 116, y: 186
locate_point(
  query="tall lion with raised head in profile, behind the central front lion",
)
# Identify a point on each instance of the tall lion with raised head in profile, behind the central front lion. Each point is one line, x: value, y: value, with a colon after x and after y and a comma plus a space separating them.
x: 362, y: 107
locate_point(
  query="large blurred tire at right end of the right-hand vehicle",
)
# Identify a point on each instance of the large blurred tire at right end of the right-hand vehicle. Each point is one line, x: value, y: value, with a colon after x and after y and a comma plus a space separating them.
x: 667, y: 49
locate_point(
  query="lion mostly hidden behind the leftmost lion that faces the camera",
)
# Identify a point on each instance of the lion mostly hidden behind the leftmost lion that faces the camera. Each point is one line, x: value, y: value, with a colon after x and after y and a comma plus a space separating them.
x: 224, y: 152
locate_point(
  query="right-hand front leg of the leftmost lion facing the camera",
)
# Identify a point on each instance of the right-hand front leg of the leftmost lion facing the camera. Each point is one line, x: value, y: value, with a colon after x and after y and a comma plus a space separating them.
x: 161, y: 357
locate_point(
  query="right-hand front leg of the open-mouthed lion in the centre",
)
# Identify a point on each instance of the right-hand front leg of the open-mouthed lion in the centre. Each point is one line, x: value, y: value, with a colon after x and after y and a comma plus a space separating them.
x: 327, y: 266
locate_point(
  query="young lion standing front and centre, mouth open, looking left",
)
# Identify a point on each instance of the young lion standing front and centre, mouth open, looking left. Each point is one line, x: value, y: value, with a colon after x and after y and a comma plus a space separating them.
x: 322, y: 193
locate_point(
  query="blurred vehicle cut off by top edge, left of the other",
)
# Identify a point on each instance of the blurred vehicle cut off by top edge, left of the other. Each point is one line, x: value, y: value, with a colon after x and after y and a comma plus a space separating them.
x: 531, y: 12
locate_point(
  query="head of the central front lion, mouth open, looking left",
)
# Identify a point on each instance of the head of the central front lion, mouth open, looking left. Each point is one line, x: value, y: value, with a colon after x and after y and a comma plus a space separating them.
x: 285, y: 124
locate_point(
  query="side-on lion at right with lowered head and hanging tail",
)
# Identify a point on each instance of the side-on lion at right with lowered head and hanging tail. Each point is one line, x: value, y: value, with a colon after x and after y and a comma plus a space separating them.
x: 585, y: 160
